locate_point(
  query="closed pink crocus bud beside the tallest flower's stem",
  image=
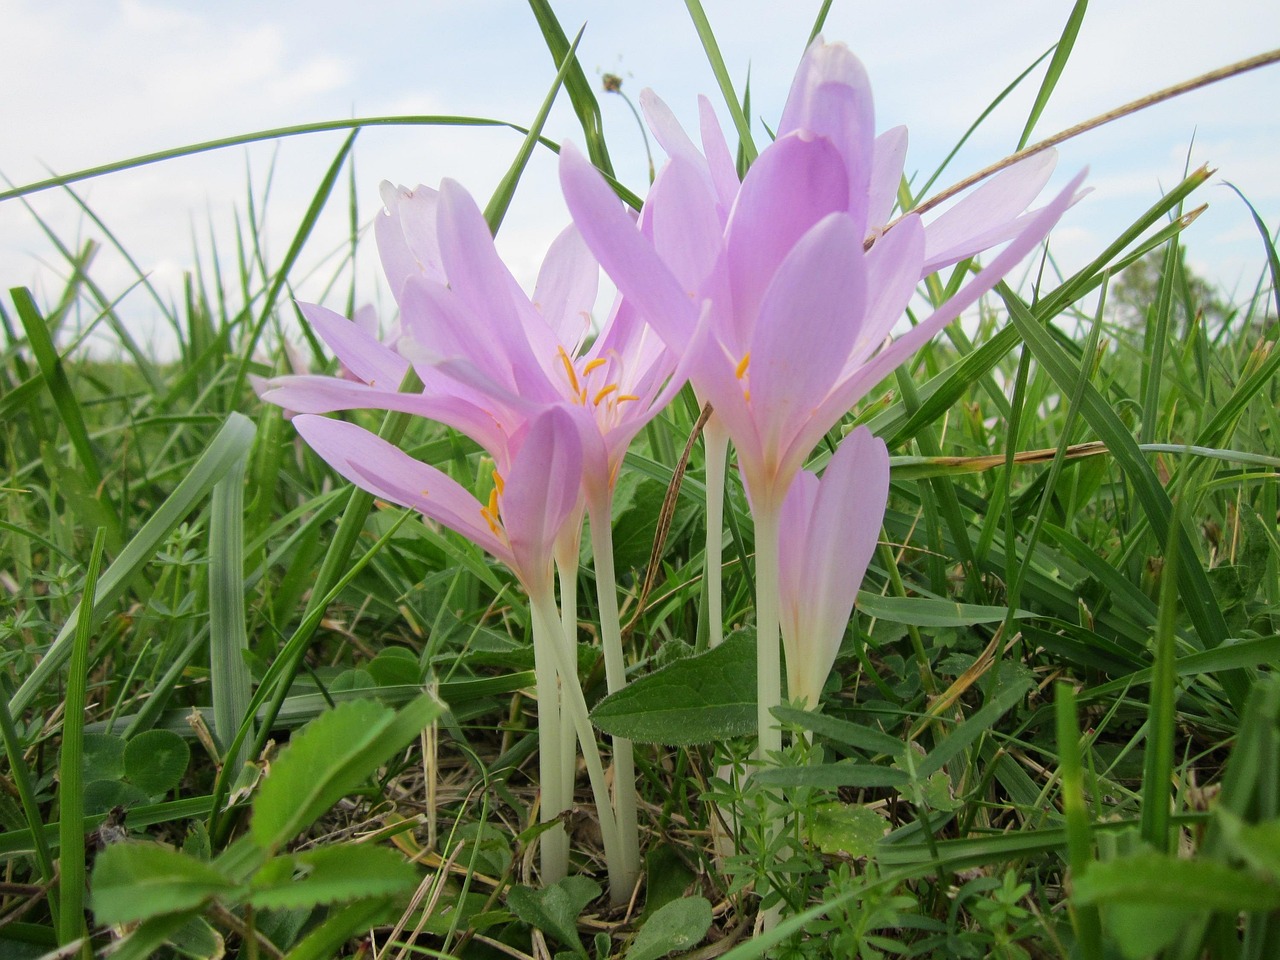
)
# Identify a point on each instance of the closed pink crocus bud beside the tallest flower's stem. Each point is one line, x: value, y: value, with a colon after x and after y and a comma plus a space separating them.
x: 828, y: 537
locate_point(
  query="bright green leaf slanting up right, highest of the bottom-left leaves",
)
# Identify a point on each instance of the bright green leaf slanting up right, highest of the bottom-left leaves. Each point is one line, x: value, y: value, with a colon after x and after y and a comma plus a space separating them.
x: 330, y: 758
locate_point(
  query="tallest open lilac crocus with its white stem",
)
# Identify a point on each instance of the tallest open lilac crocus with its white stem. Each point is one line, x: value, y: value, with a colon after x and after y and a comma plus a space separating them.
x: 771, y: 292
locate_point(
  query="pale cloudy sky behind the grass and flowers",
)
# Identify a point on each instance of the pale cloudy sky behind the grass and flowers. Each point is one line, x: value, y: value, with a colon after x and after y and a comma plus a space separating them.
x: 93, y: 83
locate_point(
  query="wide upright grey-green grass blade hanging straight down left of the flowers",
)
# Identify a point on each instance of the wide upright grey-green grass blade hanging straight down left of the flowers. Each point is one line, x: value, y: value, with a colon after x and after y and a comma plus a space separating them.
x: 228, y: 642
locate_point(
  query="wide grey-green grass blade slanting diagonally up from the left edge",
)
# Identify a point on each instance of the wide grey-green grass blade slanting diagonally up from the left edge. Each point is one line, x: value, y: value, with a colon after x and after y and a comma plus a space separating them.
x: 225, y: 450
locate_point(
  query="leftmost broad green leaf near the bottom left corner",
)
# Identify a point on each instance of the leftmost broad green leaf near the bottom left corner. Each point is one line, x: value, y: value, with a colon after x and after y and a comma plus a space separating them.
x: 136, y: 881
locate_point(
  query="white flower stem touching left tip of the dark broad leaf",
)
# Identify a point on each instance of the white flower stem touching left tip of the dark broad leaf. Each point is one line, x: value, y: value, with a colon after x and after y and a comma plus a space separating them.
x: 615, y: 675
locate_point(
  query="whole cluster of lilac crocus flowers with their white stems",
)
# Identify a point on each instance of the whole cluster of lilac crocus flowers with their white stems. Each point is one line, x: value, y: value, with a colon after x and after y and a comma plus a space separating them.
x: 779, y: 295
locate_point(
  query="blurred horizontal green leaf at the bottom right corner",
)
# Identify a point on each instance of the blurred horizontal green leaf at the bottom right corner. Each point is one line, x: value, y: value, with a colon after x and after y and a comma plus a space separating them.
x: 1158, y: 880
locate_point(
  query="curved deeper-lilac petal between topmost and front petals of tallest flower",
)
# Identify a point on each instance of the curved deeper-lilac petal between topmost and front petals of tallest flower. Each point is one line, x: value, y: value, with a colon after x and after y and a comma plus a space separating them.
x: 790, y: 188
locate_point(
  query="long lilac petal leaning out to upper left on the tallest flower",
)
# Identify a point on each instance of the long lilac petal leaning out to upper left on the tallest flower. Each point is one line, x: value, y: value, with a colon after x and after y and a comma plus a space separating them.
x: 624, y: 253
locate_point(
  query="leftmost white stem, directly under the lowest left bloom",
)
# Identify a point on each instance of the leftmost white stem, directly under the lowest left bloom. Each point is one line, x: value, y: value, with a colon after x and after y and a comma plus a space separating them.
x: 554, y: 845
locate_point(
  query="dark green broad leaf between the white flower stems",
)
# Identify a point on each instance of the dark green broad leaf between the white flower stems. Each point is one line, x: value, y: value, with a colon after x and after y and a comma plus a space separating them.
x: 697, y: 701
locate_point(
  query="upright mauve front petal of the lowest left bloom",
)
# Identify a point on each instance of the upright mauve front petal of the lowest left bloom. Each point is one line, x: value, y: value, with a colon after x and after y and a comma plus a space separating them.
x: 542, y: 491
